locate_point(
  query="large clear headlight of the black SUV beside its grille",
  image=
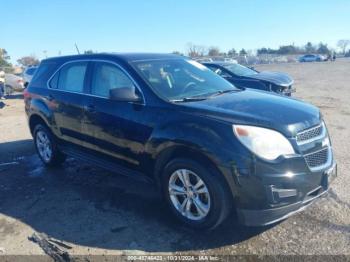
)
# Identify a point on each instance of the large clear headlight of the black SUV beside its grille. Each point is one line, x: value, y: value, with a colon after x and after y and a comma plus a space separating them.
x: 263, y: 142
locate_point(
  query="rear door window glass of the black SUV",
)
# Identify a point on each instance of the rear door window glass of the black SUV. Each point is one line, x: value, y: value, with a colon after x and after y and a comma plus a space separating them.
x: 70, y: 77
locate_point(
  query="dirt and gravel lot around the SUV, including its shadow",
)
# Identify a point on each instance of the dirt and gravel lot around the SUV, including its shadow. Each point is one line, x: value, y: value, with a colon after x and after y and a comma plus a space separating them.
x: 80, y: 209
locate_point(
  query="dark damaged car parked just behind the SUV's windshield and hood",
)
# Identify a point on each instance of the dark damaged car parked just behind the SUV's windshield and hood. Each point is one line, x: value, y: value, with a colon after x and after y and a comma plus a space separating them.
x: 244, y: 77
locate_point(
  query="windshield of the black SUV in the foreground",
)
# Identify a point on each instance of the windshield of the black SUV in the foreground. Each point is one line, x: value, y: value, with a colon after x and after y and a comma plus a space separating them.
x: 176, y: 79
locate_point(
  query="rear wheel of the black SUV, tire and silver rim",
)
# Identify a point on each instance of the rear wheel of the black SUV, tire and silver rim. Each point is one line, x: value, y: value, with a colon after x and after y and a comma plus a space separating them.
x: 46, y: 147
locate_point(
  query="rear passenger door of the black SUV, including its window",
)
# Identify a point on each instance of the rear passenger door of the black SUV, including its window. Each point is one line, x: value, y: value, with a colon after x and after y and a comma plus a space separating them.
x: 67, y: 100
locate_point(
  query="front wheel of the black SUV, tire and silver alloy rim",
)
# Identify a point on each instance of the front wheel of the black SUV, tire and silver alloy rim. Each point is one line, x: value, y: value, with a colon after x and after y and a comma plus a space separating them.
x: 214, y: 196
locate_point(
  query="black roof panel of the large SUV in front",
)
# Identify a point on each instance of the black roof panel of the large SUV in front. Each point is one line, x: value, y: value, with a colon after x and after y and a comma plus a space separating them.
x: 123, y: 56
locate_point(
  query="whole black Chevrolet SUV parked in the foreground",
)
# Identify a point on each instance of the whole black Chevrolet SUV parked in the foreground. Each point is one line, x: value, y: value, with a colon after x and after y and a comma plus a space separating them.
x: 209, y: 146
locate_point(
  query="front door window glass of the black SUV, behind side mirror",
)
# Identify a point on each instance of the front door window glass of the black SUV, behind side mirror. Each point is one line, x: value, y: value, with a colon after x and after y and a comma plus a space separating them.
x: 106, y: 77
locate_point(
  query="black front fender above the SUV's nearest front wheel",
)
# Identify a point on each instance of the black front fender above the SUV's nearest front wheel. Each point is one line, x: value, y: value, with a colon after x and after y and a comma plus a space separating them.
x: 200, y: 138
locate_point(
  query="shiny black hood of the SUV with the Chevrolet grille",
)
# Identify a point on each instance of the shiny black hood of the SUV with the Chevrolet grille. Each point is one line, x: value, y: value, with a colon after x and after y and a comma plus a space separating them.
x: 254, y: 107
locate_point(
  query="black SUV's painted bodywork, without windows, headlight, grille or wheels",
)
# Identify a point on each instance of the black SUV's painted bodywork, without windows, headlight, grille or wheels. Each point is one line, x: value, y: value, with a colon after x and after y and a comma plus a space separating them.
x: 143, y: 136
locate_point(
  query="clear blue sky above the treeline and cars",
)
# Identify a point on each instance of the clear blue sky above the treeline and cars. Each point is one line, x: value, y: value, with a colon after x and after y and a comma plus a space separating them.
x: 50, y: 28
